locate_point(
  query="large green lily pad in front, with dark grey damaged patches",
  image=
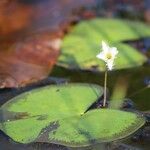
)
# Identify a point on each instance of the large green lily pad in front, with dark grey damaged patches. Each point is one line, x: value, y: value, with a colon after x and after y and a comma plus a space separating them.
x: 58, y: 114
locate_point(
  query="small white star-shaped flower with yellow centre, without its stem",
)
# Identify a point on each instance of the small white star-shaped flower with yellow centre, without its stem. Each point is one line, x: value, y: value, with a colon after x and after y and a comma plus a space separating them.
x: 108, y: 55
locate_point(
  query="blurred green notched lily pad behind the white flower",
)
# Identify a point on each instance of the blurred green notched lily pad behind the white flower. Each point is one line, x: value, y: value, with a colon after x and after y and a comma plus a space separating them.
x: 80, y: 47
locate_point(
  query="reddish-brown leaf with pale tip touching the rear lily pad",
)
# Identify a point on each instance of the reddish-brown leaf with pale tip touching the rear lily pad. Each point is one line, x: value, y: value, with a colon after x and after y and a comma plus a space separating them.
x: 28, y: 61
